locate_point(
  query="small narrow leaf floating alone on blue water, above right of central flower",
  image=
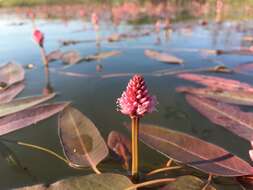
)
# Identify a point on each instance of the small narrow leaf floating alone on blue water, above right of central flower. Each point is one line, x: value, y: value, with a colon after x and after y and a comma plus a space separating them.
x: 163, y: 57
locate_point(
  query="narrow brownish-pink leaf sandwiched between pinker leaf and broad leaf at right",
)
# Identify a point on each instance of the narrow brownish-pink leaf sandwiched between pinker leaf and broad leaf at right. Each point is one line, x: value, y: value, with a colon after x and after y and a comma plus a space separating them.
x: 232, y: 97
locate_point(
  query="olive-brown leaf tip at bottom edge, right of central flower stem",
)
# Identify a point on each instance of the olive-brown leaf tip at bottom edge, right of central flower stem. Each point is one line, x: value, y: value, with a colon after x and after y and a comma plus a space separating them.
x: 187, y: 182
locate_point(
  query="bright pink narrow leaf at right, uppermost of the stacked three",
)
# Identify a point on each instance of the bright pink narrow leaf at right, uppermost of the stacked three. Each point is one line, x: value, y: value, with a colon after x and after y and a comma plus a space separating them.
x: 216, y: 82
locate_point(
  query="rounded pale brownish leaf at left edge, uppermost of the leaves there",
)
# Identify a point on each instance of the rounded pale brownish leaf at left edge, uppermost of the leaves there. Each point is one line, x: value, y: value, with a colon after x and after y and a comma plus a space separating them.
x: 11, y: 73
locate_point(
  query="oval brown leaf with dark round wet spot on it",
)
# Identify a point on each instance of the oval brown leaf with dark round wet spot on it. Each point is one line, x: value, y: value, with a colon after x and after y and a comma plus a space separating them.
x: 80, y: 139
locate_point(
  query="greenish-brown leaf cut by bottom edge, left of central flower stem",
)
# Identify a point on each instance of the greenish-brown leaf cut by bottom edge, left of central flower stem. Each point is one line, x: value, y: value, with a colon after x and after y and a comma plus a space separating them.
x: 106, y: 181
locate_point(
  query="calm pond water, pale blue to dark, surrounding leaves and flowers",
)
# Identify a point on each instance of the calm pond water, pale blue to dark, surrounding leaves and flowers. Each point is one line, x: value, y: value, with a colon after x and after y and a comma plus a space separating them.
x: 96, y: 96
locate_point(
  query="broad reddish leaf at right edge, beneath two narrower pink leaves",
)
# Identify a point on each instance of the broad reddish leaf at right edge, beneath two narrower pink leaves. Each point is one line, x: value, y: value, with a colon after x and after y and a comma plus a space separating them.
x: 228, y: 116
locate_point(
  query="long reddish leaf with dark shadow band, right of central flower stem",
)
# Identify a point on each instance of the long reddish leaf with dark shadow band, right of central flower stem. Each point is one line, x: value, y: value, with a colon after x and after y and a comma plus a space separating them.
x: 194, y: 152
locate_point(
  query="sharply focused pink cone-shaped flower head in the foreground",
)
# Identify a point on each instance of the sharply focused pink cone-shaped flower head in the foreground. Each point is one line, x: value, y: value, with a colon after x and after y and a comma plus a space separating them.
x: 135, y: 100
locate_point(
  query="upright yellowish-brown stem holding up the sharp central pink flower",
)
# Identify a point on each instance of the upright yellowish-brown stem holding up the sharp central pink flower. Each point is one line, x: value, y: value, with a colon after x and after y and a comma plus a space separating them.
x: 135, y: 151
